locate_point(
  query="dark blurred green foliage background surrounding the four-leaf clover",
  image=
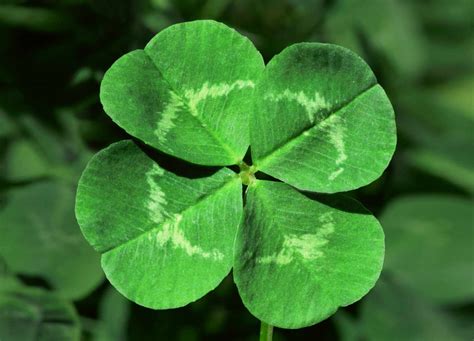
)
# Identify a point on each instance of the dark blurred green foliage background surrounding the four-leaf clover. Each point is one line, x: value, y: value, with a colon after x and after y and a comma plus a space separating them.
x: 53, y: 54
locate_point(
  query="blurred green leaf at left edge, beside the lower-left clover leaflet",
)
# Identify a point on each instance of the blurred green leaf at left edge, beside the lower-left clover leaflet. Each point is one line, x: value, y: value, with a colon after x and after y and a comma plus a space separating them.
x: 40, y: 237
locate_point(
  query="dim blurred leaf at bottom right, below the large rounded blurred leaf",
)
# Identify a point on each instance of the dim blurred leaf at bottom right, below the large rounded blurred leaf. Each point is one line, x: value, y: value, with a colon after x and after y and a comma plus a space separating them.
x: 392, y: 313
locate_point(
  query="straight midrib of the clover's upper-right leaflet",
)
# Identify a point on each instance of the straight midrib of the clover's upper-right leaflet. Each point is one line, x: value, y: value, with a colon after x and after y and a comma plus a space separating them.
x: 289, y: 144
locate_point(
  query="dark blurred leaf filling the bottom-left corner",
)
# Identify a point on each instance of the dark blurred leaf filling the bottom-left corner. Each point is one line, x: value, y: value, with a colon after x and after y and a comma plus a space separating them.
x: 28, y: 314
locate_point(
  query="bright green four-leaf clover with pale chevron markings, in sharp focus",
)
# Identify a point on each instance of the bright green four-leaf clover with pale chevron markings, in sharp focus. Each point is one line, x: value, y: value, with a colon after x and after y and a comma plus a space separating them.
x: 314, y: 118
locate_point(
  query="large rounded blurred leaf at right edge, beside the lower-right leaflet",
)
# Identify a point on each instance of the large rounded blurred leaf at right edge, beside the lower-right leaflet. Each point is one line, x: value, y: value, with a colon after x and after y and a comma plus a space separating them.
x: 429, y: 246
